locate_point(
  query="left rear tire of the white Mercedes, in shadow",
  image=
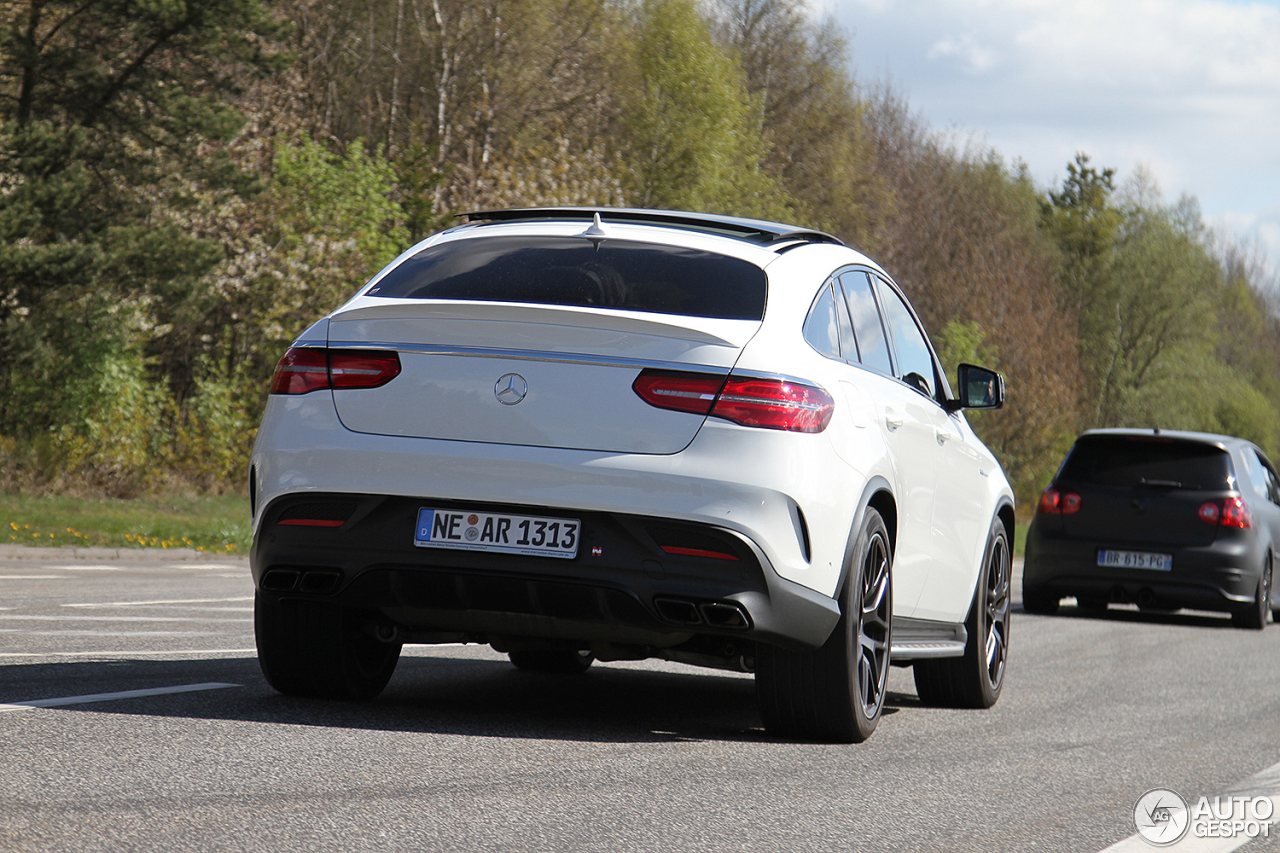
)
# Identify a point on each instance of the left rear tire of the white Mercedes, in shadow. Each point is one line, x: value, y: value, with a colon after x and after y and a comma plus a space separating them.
x: 321, y: 650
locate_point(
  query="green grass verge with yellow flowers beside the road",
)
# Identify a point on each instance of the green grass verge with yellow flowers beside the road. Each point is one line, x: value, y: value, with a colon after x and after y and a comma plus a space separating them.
x: 213, y: 524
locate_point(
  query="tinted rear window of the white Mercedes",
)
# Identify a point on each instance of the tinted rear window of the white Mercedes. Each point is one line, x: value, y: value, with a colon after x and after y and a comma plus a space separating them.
x: 572, y: 271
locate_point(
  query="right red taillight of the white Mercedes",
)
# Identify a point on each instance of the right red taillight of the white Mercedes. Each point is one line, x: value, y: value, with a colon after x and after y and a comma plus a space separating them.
x: 772, y: 404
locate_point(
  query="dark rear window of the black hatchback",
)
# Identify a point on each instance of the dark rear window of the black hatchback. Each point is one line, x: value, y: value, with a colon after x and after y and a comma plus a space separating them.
x: 1151, y: 460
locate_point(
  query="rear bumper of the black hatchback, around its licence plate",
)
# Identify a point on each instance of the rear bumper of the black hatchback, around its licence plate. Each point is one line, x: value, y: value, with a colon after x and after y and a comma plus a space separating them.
x: 1220, y: 577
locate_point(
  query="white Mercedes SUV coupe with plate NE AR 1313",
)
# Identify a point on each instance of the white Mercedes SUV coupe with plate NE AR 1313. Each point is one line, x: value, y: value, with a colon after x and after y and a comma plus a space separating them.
x: 601, y: 435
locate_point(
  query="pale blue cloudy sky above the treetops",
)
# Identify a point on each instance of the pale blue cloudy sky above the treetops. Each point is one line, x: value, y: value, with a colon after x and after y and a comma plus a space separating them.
x: 1187, y: 90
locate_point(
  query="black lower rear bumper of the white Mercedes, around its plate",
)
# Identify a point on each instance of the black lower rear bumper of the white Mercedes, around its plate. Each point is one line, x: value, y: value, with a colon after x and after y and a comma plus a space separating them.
x: 621, y: 589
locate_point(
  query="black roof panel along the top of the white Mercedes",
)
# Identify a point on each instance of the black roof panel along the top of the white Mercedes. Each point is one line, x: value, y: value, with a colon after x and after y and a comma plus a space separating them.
x: 758, y: 231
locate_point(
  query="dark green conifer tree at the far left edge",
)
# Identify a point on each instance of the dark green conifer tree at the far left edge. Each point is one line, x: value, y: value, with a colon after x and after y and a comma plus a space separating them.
x: 112, y: 120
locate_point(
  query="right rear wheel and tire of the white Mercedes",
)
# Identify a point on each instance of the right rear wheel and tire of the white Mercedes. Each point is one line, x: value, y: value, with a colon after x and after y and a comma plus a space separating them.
x: 836, y: 694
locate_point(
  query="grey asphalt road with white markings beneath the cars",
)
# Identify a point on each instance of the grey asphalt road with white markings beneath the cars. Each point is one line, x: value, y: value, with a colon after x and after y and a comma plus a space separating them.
x: 463, y: 752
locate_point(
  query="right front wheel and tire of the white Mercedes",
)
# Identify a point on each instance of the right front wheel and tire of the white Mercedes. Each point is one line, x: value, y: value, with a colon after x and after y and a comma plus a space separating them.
x: 976, y: 679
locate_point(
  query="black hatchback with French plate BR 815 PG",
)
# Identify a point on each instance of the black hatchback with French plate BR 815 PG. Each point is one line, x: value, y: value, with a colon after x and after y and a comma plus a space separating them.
x: 1160, y: 519
